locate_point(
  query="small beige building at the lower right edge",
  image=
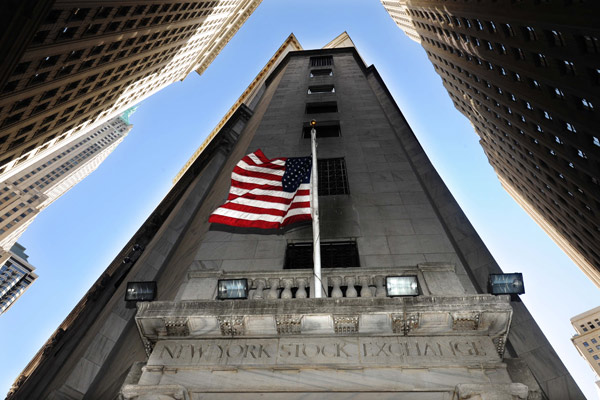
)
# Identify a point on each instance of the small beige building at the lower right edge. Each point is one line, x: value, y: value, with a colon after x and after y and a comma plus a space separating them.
x: 587, y: 338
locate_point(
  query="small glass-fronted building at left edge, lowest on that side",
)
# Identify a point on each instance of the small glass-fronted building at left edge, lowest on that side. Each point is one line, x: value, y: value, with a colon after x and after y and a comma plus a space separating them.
x: 16, y: 275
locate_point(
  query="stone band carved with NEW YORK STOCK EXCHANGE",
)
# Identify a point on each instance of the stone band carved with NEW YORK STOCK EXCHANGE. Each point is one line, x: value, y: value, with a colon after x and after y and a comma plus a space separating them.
x: 399, y: 351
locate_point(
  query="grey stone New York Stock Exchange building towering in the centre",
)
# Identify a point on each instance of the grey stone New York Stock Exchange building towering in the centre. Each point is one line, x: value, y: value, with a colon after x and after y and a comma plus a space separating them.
x: 384, y: 213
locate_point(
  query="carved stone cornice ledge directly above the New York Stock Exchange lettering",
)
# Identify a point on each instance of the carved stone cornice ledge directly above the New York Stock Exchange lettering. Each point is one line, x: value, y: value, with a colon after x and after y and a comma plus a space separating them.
x: 423, y: 315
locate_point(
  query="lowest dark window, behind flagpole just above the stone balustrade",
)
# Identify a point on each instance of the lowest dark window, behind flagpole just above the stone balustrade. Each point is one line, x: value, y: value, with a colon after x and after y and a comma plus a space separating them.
x: 333, y: 255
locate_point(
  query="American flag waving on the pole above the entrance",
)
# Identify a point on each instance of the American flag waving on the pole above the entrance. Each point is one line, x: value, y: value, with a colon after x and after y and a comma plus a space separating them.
x: 267, y: 194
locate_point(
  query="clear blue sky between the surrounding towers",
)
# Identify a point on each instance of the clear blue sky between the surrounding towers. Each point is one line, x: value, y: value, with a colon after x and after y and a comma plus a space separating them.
x: 74, y: 240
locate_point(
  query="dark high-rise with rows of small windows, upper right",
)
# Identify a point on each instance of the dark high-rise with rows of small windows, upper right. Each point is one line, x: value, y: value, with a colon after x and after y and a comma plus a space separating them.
x: 527, y: 75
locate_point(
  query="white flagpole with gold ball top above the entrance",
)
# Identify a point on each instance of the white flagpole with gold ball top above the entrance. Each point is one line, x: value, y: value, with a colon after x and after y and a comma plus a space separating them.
x: 314, y: 208
